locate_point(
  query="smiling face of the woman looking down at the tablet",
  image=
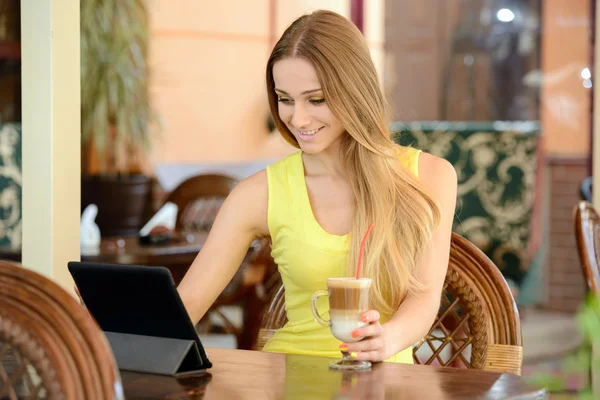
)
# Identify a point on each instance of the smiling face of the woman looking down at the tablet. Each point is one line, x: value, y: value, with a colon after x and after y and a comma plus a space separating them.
x: 302, y: 107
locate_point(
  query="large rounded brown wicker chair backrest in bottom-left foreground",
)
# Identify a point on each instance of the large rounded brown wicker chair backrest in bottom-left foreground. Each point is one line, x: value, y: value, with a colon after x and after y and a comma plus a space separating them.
x: 50, y: 347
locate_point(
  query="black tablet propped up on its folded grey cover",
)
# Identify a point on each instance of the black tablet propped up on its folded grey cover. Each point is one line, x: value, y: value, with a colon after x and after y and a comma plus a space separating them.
x: 142, y: 316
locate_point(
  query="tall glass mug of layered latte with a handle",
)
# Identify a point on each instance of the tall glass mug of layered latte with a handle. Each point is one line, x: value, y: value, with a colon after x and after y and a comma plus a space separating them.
x: 348, y: 300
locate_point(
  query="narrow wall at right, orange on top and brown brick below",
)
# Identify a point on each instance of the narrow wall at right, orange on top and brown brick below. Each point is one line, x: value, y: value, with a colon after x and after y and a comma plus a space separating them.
x: 565, y: 112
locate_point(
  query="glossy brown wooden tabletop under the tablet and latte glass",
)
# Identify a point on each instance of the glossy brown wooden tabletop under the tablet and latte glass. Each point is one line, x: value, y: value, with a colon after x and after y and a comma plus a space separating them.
x: 240, y: 374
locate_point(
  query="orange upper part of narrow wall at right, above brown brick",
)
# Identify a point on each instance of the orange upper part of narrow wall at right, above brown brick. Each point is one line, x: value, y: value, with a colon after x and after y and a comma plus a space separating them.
x: 565, y: 103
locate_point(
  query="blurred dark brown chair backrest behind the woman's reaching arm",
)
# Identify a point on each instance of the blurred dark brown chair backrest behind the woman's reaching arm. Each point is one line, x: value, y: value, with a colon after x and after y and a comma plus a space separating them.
x: 199, y: 199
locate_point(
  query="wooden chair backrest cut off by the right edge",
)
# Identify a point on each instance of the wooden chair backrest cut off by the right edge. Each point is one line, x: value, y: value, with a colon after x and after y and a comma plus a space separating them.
x: 587, y: 235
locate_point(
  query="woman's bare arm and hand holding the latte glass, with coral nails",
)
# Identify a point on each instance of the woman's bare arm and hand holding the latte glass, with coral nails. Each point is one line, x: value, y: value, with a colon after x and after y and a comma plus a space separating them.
x: 415, y: 316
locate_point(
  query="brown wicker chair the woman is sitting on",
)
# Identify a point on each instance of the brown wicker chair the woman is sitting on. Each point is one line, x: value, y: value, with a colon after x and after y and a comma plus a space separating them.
x: 478, y: 319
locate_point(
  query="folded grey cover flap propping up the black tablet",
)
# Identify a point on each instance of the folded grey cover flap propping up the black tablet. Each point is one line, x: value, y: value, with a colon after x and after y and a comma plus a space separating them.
x: 155, y: 355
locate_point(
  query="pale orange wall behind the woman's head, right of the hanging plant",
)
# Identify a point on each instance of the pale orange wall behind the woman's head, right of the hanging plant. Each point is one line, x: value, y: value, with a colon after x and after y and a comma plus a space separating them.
x: 208, y: 61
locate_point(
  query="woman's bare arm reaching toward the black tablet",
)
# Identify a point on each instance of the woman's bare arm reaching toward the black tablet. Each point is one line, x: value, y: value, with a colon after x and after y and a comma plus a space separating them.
x: 241, y: 219
